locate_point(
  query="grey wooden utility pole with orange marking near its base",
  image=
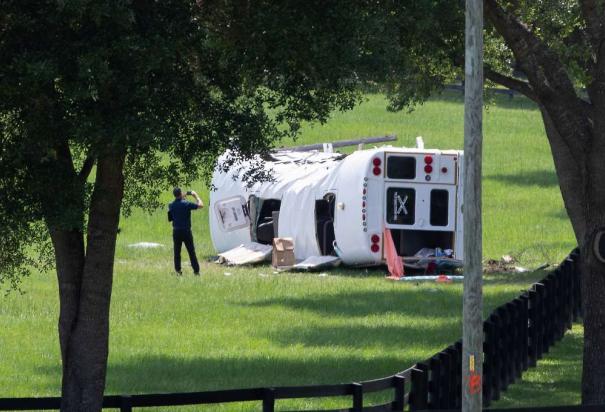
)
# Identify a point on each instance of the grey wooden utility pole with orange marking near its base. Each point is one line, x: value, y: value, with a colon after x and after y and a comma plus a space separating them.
x: 472, y: 316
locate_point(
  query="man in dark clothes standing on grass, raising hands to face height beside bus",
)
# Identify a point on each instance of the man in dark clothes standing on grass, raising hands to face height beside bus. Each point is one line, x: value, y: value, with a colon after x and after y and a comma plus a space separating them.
x: 179, y: 213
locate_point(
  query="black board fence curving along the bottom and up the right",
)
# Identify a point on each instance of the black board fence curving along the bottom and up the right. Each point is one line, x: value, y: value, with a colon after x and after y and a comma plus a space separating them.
x: 517, y: 334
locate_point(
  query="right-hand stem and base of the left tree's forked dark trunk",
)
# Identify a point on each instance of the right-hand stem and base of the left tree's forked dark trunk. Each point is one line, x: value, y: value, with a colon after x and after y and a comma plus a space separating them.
x: 86, y: 352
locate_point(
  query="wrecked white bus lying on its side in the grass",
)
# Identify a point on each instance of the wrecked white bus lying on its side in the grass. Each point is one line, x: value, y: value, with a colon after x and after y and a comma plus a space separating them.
x: 331, y: 203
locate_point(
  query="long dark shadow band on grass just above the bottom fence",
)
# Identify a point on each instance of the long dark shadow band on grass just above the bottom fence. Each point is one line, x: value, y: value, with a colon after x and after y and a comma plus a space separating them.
x: 170, y: 374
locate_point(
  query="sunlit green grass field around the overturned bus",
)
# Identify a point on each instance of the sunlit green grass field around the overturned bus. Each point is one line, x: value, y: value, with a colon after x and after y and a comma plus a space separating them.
x: 242, y: 327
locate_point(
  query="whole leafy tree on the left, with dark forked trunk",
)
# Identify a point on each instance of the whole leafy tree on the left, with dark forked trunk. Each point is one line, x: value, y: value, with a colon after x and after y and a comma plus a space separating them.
x: 103, y: 104
